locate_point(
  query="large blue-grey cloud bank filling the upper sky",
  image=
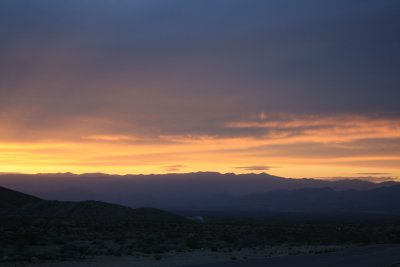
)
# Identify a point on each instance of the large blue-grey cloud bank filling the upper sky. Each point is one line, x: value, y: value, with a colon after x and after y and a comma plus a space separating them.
x: 189, y: 67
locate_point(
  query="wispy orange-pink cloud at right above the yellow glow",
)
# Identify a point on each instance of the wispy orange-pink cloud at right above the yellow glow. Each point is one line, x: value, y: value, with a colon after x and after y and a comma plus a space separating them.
x: 319, y: 128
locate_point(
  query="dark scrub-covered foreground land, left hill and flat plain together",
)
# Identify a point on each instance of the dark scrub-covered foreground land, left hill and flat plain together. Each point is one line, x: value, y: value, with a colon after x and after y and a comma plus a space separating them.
x: 34, y: 229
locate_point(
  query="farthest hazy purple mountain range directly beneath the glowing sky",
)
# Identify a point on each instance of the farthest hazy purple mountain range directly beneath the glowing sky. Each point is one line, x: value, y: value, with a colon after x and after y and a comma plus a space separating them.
x: 171, y: 191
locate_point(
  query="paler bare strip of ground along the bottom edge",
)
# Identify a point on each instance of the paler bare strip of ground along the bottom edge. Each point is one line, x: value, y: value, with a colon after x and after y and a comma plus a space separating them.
x: 309, y: 256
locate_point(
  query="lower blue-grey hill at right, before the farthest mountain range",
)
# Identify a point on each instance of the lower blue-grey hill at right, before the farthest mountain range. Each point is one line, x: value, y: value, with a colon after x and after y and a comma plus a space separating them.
x: 379, y: 200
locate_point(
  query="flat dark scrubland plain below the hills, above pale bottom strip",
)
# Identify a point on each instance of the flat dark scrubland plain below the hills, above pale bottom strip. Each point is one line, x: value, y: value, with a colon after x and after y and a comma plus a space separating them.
x: 24, y: 239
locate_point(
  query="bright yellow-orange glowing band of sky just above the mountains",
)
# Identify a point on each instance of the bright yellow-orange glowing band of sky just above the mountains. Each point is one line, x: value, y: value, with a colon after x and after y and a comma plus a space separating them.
x: 330, y: 148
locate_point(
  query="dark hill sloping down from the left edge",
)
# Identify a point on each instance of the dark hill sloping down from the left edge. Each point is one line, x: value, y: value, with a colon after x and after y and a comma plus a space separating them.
x: 18, y: 205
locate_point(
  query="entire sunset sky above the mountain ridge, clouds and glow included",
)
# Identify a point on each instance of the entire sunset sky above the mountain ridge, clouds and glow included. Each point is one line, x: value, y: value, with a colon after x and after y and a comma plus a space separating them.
x: 292, y: 88
